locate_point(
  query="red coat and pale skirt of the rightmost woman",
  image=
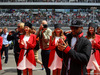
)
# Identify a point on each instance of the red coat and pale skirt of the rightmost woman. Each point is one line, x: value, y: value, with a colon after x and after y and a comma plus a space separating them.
x: 96, y: 56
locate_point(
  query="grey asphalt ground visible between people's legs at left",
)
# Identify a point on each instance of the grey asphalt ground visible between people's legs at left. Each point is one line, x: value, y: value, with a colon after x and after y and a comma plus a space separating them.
x: 10, y: 67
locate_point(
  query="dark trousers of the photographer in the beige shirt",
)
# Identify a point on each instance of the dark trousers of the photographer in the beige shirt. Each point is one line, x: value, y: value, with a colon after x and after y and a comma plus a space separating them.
x: 45, y: 59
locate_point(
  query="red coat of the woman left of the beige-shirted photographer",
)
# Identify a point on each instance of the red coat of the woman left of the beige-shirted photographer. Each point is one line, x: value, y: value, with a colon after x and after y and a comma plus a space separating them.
x: 30, y: 55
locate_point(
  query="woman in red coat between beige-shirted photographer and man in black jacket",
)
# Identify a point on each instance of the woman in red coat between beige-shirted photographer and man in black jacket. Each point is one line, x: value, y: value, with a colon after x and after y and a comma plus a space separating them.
x: 55, y: 62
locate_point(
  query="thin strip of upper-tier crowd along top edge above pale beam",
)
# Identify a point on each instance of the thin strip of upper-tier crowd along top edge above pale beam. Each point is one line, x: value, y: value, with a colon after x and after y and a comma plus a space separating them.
x: 75, y: 1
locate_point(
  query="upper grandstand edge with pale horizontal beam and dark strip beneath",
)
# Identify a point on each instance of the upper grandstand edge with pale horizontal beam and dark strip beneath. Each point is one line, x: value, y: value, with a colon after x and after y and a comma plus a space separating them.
x: 12, y: 4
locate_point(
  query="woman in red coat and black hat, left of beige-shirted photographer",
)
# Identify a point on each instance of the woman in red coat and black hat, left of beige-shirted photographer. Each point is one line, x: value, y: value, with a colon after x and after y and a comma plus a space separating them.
x: 27, y: 43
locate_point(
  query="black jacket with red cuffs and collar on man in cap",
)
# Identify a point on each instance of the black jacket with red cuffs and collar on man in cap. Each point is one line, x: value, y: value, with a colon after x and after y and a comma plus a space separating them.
x: 79, y: 56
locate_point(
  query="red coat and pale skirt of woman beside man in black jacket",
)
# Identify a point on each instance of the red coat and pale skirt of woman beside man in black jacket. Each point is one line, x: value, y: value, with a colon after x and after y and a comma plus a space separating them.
x: 53, y: 57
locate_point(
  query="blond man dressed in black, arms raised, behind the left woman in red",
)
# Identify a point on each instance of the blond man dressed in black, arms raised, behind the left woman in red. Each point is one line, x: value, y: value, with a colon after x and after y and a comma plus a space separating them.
x: 15, y: 37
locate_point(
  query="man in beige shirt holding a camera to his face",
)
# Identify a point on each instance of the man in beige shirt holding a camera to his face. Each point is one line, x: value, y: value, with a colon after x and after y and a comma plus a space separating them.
x: 44, y: 34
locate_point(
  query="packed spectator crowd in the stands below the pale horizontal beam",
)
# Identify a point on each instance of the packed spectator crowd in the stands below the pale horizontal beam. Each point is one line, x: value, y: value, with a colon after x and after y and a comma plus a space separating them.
x: 12, y: 18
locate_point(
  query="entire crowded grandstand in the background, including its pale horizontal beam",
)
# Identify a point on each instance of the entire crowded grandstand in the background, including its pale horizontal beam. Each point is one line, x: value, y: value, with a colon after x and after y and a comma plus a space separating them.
x: 54, y: 11
